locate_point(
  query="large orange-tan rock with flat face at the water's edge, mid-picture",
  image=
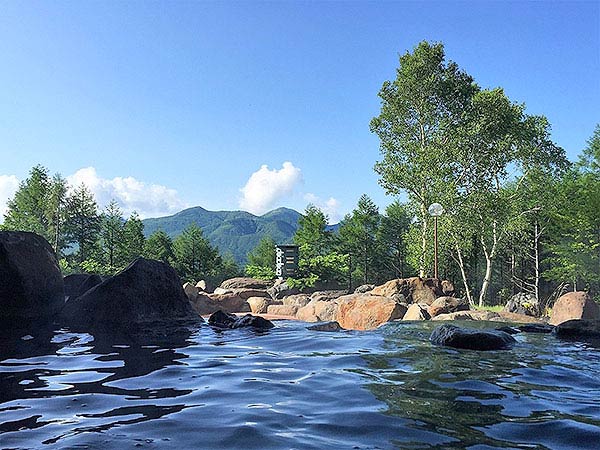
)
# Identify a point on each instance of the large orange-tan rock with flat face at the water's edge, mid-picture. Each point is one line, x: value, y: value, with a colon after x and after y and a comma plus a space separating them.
x: 366, y: 312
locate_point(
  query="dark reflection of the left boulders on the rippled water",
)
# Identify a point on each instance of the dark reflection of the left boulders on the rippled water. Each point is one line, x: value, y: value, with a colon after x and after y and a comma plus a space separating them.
x: 61, y: 378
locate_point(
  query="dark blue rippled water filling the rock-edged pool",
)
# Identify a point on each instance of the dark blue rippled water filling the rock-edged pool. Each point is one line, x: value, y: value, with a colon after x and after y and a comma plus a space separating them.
x: 294, y: 388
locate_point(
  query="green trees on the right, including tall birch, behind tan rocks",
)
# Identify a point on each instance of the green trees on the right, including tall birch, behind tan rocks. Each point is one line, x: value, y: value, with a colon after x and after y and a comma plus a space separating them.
x: 519, y: 217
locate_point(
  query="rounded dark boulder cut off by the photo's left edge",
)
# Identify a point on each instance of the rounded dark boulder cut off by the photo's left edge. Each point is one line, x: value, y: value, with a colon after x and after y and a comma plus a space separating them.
x: 31, y: 285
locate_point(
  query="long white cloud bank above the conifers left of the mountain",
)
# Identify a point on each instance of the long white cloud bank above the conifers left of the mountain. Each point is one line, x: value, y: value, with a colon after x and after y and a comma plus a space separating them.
x: 149, y: 200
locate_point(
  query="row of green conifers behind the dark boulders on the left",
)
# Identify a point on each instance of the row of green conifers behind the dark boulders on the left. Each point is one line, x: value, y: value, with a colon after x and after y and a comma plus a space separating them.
x: 87, y: 239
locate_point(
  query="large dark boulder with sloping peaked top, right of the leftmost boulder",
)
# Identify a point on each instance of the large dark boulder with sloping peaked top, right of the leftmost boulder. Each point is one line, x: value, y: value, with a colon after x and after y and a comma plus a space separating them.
x: 146, y: 291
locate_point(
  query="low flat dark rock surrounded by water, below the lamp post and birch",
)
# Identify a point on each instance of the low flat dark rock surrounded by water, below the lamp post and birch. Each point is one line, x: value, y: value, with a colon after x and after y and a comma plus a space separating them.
x: 472, y: 339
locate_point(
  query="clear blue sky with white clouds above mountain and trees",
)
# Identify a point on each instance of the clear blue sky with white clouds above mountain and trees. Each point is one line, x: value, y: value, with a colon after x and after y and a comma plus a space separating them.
x: 254, y: 105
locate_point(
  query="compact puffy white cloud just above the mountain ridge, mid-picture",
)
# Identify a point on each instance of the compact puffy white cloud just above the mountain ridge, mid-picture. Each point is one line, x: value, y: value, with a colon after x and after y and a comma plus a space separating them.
x: 266, y: 187
